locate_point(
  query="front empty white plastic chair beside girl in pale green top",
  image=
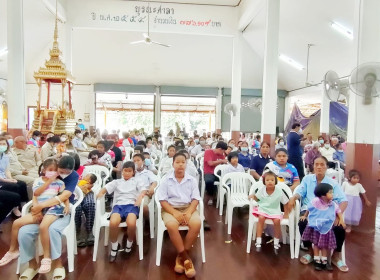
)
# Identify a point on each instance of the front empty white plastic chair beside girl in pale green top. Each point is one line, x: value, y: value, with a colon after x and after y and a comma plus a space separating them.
x: 237, y: 194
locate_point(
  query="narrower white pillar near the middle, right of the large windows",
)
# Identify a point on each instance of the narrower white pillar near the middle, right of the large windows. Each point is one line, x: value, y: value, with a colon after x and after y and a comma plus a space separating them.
x: 236, y: 85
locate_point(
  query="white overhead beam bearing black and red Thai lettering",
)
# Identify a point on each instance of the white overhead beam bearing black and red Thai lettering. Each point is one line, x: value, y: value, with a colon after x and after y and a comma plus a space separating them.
x: 163, y: 17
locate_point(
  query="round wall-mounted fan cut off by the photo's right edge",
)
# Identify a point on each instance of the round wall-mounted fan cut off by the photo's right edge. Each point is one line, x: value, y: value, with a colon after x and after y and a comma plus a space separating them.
x: 365, y: 81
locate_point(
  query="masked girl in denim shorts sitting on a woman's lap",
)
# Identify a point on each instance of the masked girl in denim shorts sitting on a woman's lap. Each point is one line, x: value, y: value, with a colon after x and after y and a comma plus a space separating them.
x: 45, y: 187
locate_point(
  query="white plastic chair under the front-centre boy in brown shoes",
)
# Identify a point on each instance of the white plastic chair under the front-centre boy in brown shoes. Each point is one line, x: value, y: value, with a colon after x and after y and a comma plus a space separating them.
x: 161, y: 229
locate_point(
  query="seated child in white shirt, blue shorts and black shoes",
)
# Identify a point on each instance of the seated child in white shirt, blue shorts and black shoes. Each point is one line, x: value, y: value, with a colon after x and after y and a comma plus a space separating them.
x: 126, y: 201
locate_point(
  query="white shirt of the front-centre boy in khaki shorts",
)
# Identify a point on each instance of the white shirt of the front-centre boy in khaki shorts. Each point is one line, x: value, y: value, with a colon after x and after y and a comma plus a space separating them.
x: 178, y: 194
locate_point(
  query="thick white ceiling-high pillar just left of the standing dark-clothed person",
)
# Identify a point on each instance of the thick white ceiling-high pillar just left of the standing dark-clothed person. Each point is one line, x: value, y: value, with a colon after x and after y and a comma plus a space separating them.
x: 268, y: 116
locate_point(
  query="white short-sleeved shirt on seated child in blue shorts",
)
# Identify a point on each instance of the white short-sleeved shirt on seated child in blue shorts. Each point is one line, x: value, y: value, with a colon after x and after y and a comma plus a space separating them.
x: 124, y: 191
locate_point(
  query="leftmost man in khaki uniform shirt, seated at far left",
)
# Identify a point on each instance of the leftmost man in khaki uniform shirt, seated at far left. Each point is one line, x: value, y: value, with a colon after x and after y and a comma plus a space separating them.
x: 27, y: 155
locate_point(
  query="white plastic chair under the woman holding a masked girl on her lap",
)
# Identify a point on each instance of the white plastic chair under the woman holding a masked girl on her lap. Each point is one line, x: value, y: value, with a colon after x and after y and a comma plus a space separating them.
x: 69, y: 232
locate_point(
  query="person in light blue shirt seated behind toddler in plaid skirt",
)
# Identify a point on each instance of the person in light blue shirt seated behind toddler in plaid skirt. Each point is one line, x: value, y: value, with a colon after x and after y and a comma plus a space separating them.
x: 305, y: 193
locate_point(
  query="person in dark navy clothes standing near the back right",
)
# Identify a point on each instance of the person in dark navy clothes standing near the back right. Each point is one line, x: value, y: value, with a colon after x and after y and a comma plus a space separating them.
x: 295, y: 149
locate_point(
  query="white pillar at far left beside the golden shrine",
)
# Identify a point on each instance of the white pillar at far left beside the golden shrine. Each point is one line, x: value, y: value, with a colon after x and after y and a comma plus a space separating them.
x: 16, y: 70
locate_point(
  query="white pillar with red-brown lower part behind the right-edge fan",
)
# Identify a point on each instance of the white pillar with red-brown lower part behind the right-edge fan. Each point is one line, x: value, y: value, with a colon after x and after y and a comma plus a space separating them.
x: 363, y: 130
